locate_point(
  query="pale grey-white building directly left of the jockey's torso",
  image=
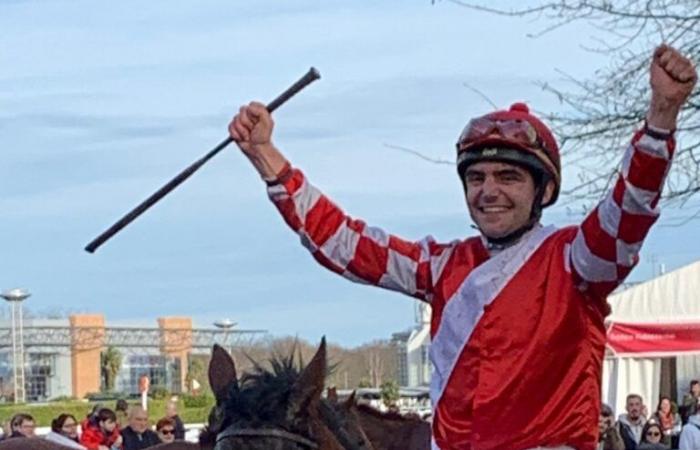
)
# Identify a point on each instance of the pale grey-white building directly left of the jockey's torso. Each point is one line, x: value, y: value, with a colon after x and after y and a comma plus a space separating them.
x: 413, y: 347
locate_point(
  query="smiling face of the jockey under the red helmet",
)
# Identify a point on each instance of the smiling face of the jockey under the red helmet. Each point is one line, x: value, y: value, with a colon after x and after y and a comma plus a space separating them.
x: 499, y: 197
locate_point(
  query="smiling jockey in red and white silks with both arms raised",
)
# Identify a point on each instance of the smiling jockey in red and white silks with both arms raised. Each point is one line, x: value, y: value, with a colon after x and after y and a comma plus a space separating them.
x: 517, y: 312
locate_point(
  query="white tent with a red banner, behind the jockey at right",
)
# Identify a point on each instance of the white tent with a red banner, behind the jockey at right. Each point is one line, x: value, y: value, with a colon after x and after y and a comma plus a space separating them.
x: 651, y: 320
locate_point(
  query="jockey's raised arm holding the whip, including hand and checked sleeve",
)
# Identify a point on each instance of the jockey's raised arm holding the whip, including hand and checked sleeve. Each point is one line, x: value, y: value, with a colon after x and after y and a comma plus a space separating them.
x: 344, y: 245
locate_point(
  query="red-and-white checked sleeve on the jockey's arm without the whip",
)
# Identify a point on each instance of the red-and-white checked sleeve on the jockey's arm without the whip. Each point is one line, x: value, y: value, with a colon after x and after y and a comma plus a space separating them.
x: 607, y: 244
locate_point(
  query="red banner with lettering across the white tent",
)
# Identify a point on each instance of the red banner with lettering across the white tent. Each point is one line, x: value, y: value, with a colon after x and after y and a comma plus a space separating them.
x: 628, y: 339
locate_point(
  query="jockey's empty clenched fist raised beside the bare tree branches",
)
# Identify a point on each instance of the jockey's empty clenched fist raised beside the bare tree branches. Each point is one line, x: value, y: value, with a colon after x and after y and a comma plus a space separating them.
x: 672, y: 78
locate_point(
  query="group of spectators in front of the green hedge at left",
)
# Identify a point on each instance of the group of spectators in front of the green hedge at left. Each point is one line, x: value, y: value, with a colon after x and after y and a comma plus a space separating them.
x: 123, y: 428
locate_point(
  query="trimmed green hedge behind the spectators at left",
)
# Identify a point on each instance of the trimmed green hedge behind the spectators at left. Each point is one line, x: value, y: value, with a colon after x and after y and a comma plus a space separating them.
x: 45, y: 413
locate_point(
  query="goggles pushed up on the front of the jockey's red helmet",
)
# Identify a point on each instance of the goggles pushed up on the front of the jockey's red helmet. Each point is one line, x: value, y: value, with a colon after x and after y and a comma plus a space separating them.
x: 517, y: 131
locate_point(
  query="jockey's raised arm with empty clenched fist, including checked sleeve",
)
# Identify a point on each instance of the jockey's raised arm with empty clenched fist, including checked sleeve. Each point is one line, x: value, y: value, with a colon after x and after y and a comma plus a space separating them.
x: 607, y: 245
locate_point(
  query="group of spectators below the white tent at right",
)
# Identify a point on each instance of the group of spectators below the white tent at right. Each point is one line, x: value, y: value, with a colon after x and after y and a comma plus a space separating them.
x: 668, y: 427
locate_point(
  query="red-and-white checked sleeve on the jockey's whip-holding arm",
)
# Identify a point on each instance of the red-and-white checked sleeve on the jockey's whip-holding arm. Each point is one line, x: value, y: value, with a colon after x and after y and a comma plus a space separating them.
x: 350, y: 247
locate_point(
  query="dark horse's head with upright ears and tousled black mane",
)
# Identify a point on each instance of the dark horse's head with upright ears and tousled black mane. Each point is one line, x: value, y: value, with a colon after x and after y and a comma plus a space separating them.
x: 276, y: 409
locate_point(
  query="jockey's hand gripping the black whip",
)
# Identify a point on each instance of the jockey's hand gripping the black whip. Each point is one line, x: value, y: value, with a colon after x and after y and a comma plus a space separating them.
x: 251, y: 128
